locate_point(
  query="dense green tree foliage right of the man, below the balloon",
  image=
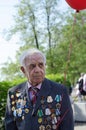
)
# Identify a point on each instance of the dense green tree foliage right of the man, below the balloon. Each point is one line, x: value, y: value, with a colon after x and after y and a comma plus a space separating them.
x: 69, y: 55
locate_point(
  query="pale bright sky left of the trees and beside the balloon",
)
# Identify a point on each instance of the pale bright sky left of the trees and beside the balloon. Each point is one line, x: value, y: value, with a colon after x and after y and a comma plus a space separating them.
x: 8, y: 48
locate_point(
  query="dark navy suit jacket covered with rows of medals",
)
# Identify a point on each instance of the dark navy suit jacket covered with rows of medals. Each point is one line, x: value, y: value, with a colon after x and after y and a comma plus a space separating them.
x: 53, y: 110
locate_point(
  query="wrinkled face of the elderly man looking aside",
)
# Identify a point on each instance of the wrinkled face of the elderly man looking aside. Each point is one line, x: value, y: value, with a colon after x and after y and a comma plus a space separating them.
x: 34, y: 69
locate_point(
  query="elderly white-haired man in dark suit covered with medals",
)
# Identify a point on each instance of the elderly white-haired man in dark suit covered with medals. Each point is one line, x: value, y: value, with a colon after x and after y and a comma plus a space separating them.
x: 38, y: 103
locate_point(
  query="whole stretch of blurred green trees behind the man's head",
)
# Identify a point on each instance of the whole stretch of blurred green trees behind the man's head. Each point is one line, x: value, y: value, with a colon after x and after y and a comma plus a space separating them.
x: 61, y: 36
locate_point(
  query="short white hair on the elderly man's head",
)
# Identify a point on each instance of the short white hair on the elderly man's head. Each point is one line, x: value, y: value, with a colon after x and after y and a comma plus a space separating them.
x: 28, y: 53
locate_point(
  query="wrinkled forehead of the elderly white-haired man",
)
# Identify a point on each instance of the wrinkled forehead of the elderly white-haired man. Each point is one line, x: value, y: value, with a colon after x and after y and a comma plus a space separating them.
x: 33, y: 58
